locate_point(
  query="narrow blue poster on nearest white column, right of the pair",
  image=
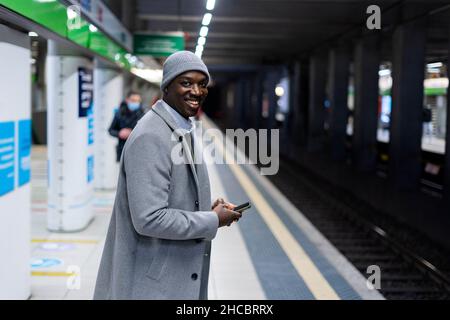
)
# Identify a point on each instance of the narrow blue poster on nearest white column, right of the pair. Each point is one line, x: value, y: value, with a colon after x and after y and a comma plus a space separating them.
x: 24, y: 151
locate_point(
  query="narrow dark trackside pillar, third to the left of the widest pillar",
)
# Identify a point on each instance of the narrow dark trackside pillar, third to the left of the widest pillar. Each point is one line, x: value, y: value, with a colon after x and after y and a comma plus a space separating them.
x: 316, y: 112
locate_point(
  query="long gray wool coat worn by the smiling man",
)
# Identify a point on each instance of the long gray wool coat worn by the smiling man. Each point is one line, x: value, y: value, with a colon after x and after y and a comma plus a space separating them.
x: 159, y: 238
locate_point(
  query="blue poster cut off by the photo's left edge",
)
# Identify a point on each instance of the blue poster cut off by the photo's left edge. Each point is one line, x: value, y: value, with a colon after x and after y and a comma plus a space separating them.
x: 7, y: 157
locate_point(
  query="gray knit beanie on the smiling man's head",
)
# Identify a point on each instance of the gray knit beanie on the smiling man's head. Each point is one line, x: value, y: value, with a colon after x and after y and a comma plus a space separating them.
x: 180, y: 62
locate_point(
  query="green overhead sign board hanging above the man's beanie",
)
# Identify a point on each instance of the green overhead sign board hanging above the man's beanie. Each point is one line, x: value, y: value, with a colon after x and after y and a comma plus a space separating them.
x: 158, y: 44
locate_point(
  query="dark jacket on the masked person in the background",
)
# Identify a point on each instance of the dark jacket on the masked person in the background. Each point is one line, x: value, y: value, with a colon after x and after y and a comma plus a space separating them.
x: 124, y: 118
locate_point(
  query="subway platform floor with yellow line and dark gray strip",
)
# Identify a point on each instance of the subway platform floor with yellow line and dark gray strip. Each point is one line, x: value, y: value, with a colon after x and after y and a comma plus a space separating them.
x: 273, y: 252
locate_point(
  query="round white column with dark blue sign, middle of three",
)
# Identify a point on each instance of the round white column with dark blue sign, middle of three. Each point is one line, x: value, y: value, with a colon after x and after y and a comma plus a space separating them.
x: 70, y: 141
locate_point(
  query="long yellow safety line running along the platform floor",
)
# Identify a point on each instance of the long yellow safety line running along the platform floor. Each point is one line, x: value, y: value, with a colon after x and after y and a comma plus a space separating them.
x: 312, y: 277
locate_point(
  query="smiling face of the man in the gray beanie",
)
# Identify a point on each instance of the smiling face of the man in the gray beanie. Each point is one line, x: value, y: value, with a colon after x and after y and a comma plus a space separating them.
x: 187, y: 92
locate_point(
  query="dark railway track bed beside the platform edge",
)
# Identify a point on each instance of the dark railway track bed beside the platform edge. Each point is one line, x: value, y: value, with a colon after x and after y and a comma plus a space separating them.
x: 404, y: 273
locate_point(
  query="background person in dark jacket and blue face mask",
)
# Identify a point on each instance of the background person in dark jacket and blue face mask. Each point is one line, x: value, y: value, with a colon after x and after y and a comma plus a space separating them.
x: 125, y: 119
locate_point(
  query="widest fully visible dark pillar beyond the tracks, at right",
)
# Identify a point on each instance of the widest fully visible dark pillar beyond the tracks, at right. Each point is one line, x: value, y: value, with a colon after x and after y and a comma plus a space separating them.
x: 407, y: 104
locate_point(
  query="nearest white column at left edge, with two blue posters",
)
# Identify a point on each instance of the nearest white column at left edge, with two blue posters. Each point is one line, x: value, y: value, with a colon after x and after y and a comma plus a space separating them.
x: 15, y: 146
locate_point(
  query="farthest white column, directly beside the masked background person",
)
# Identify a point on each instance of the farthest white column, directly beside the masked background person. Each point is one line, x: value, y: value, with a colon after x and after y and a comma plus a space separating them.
x: 108, y: 92
